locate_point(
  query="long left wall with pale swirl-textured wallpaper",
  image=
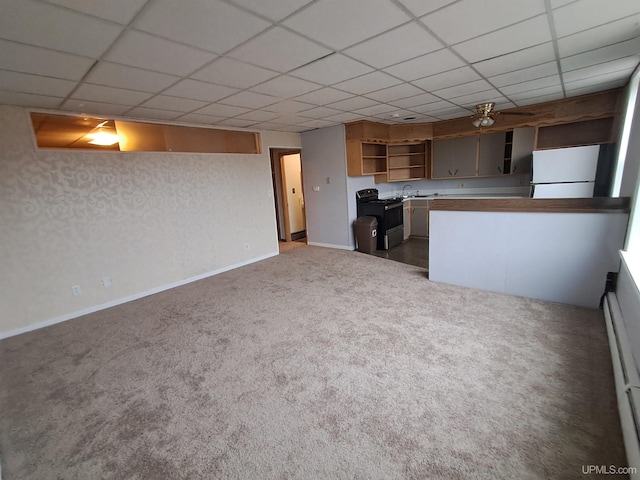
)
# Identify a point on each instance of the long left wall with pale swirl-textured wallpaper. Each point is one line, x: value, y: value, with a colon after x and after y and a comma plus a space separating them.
x: 145, y: 220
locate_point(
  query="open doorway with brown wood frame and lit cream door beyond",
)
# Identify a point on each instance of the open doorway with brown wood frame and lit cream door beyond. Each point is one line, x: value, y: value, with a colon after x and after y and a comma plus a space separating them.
x: 286, y: 173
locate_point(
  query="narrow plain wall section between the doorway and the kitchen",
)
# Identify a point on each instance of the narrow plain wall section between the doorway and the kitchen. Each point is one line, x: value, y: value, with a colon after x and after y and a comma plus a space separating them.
x: 324, y: 165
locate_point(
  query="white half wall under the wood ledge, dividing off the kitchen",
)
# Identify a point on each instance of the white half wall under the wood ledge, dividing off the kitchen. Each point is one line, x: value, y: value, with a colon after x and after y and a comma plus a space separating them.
x: 560, y: 257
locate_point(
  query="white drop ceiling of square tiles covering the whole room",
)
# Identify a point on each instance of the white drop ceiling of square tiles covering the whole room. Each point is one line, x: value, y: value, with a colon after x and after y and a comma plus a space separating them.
x: 297, y: 65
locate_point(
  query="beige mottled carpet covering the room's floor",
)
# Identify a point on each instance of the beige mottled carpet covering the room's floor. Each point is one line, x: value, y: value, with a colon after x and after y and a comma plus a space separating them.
x: 315, y: 364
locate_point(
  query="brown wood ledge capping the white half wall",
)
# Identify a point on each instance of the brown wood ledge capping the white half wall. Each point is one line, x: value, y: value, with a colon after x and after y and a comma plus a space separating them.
x: 541, y: 205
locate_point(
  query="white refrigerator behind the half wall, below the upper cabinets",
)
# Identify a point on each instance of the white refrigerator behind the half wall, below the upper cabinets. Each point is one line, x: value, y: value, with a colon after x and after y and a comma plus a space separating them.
x: 565, y: 172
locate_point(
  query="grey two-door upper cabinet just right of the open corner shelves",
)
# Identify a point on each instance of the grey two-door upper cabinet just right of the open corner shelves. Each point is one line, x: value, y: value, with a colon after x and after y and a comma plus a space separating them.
x: 455, y: 157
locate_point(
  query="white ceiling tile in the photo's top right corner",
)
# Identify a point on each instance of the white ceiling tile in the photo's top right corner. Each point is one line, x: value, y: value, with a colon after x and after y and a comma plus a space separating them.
x: 579, y: 16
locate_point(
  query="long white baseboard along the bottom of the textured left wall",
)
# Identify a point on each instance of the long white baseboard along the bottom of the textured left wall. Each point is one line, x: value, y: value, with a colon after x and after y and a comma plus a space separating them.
x: 120, y: 301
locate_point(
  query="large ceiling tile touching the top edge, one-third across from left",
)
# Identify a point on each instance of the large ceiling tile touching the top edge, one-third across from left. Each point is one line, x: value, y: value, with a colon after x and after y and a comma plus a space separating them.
x: 212, y: 25
